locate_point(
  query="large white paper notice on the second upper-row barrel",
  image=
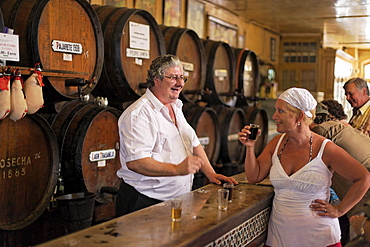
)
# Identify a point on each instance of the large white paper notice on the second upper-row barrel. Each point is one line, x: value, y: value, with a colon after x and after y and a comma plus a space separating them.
x: 139, y: 36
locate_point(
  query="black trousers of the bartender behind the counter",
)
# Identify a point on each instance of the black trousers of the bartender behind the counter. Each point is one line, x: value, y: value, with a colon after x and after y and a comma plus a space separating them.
x: 130, y: 200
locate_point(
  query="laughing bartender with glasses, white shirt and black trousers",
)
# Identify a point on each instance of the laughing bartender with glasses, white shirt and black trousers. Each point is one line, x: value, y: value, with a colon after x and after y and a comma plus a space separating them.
x: 159, y: 150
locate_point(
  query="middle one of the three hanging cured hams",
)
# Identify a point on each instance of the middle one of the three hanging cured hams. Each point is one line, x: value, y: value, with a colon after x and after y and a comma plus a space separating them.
x: 18, y: 104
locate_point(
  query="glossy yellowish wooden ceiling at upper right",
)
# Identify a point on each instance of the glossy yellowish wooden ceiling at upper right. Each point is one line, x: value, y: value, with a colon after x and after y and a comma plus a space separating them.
x: 343, y: 23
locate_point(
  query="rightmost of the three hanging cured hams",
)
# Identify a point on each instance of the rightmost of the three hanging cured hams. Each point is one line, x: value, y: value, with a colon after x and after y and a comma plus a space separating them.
x: 33, y: 91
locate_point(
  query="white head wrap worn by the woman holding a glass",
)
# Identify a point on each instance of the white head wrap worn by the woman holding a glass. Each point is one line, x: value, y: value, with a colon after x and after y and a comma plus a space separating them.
x: 300, y: 98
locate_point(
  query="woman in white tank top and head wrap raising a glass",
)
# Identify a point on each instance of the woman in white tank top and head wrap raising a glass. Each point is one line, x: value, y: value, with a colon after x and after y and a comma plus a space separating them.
x: 300, y: 164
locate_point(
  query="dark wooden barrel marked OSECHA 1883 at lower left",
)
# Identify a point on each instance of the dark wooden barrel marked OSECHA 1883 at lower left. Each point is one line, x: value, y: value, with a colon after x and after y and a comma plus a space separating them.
x: 29, y: 159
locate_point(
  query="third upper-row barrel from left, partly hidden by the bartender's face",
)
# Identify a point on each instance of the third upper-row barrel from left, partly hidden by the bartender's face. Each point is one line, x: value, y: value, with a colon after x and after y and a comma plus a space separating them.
x: 186, y: 44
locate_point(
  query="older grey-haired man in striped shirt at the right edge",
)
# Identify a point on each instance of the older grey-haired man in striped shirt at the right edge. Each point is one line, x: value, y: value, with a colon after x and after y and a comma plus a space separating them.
x: 357, y: 94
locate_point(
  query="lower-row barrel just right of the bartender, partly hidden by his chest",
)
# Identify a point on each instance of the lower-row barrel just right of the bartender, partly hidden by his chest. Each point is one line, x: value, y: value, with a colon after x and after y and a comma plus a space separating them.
x: 205, y: 123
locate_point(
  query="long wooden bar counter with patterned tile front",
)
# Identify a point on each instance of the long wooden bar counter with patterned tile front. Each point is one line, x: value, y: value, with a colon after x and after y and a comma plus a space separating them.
x: 244, y: 223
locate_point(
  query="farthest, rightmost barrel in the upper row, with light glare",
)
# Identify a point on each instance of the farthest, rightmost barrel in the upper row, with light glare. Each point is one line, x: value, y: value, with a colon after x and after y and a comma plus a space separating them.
x: 247, y: 73
